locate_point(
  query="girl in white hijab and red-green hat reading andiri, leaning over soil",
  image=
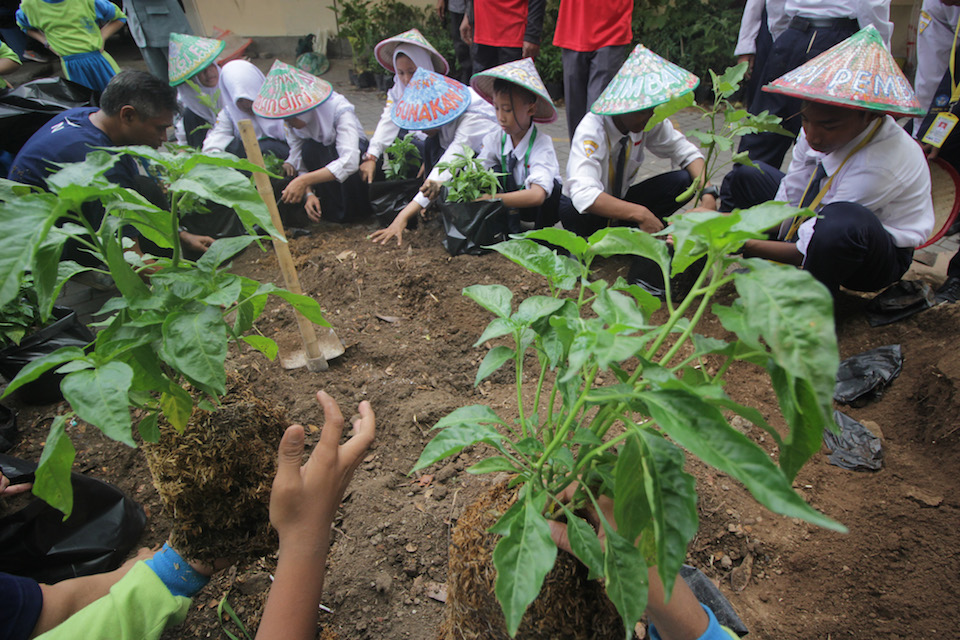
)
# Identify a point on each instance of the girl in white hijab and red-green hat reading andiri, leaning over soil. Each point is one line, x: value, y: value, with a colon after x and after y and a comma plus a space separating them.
x: 325, y: 143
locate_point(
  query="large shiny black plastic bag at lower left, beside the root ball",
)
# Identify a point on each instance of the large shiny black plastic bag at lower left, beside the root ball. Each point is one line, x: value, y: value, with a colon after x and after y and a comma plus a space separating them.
x: 37, y: 543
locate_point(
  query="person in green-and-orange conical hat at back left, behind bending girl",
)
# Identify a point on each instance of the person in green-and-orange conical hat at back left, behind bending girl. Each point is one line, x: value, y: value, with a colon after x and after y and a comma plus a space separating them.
x: 194, y: 71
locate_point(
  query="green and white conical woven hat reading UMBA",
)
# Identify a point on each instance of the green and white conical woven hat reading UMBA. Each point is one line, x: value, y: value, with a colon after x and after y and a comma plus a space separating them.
x: 644, y: 81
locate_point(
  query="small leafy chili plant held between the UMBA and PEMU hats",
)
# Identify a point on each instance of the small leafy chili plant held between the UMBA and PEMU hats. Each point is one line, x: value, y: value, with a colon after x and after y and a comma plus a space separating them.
x: 727, y: 122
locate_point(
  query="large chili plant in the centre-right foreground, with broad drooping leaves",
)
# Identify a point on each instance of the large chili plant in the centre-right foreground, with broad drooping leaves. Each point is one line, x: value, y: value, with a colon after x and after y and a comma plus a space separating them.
x: 662, y: 393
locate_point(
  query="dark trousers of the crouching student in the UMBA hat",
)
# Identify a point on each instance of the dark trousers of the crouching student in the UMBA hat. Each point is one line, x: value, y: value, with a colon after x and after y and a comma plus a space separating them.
x: 659, y: 194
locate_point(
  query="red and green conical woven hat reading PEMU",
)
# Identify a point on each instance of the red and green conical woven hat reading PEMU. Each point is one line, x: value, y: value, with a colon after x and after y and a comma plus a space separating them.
x: 859, y: 72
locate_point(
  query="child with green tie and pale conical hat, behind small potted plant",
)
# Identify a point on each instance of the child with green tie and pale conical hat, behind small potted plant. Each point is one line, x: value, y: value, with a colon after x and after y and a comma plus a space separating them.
x: 519, y: 150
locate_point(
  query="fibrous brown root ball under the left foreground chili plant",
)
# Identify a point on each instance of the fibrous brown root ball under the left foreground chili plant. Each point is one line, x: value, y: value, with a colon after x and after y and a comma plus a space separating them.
x: 214, y: 479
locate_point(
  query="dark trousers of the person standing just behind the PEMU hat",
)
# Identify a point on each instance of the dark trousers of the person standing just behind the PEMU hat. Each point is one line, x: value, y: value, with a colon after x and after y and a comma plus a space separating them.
x: 790, y: 50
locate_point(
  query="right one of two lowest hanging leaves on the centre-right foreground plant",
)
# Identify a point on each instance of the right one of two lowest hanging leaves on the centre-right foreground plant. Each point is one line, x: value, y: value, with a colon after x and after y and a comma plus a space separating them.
x: 626, y: 573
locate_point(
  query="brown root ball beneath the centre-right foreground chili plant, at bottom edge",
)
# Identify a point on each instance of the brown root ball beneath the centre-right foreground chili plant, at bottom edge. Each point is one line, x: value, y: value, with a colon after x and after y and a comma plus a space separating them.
x: 569, y: 606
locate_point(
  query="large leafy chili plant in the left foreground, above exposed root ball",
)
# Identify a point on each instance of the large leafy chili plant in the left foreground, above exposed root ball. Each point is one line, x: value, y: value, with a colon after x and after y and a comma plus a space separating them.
x: 164, y: 340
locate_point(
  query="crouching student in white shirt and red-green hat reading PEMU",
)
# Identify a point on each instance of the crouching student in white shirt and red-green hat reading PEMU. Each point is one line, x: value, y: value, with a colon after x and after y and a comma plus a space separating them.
x: 864, y: 176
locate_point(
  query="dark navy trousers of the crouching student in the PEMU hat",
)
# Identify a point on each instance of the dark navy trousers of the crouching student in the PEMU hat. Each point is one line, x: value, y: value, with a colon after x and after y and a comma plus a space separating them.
x: 849, y: 246
